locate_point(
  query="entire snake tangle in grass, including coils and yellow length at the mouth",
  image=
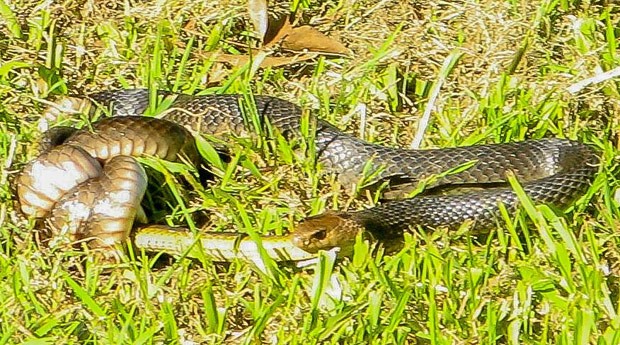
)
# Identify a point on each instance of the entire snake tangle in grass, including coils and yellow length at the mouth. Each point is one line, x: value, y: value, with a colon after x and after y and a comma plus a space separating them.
x: 97, y: 184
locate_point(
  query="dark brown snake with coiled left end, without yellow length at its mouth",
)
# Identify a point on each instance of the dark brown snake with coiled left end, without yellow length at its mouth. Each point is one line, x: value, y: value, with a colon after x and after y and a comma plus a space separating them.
x: 551, y: 171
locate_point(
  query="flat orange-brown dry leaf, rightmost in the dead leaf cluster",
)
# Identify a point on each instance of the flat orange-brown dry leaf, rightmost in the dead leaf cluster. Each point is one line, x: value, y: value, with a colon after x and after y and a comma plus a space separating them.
x: 307, y: 38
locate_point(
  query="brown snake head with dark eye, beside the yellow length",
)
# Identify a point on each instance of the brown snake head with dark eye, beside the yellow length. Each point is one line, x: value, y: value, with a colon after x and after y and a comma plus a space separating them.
x: 326, y: 231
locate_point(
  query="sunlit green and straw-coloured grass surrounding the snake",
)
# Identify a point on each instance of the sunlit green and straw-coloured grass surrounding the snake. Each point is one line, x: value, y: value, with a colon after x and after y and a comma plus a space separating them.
x: 493, y: 71
